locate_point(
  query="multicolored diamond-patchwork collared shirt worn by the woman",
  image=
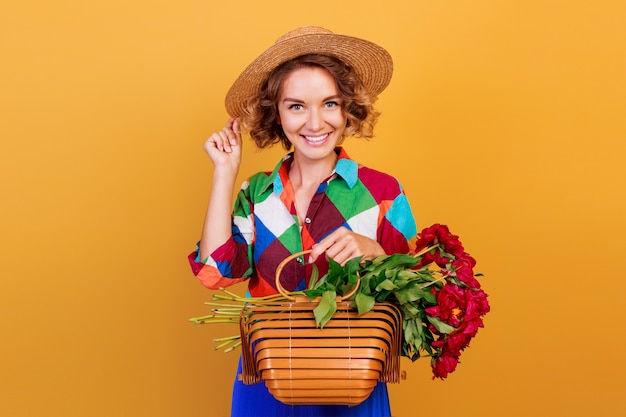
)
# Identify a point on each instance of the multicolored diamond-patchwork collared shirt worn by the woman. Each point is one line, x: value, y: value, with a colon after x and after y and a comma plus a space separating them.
x: 266, y: 229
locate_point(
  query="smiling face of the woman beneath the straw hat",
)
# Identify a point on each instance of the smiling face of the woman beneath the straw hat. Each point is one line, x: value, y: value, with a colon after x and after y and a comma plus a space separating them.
x: 310, y: 113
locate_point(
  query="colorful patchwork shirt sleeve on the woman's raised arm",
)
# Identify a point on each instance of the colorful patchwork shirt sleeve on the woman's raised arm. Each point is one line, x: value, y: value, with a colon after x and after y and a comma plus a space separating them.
x: 232, y: 261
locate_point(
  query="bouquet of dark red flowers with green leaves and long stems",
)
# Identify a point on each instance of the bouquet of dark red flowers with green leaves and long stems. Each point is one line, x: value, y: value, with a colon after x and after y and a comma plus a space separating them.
x: 434, y: 286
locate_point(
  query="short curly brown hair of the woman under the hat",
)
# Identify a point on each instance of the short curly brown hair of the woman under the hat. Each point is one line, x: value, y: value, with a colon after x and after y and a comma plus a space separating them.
x: 260, y: 117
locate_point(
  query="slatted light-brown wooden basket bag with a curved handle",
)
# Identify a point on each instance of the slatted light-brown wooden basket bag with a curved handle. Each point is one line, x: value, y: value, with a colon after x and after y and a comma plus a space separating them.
x: 303, y: 364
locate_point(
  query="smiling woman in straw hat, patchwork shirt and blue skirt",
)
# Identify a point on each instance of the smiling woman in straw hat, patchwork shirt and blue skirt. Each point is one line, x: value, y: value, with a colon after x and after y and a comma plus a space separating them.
x: 308, y: 91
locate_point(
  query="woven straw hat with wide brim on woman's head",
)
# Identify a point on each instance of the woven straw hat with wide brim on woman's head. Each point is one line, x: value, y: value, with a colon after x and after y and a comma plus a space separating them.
x: 372, y: 63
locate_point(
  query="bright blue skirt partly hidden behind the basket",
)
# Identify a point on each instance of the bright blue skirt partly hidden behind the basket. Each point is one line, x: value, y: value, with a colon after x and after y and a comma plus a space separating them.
x: 256, y: 401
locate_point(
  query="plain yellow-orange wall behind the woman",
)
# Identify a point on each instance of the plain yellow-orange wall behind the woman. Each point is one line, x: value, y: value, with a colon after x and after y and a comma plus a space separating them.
x: 504, y: 120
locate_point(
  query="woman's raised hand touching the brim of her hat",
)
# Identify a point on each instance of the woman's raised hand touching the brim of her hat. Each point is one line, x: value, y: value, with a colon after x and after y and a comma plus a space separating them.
x: 224, y: 146
